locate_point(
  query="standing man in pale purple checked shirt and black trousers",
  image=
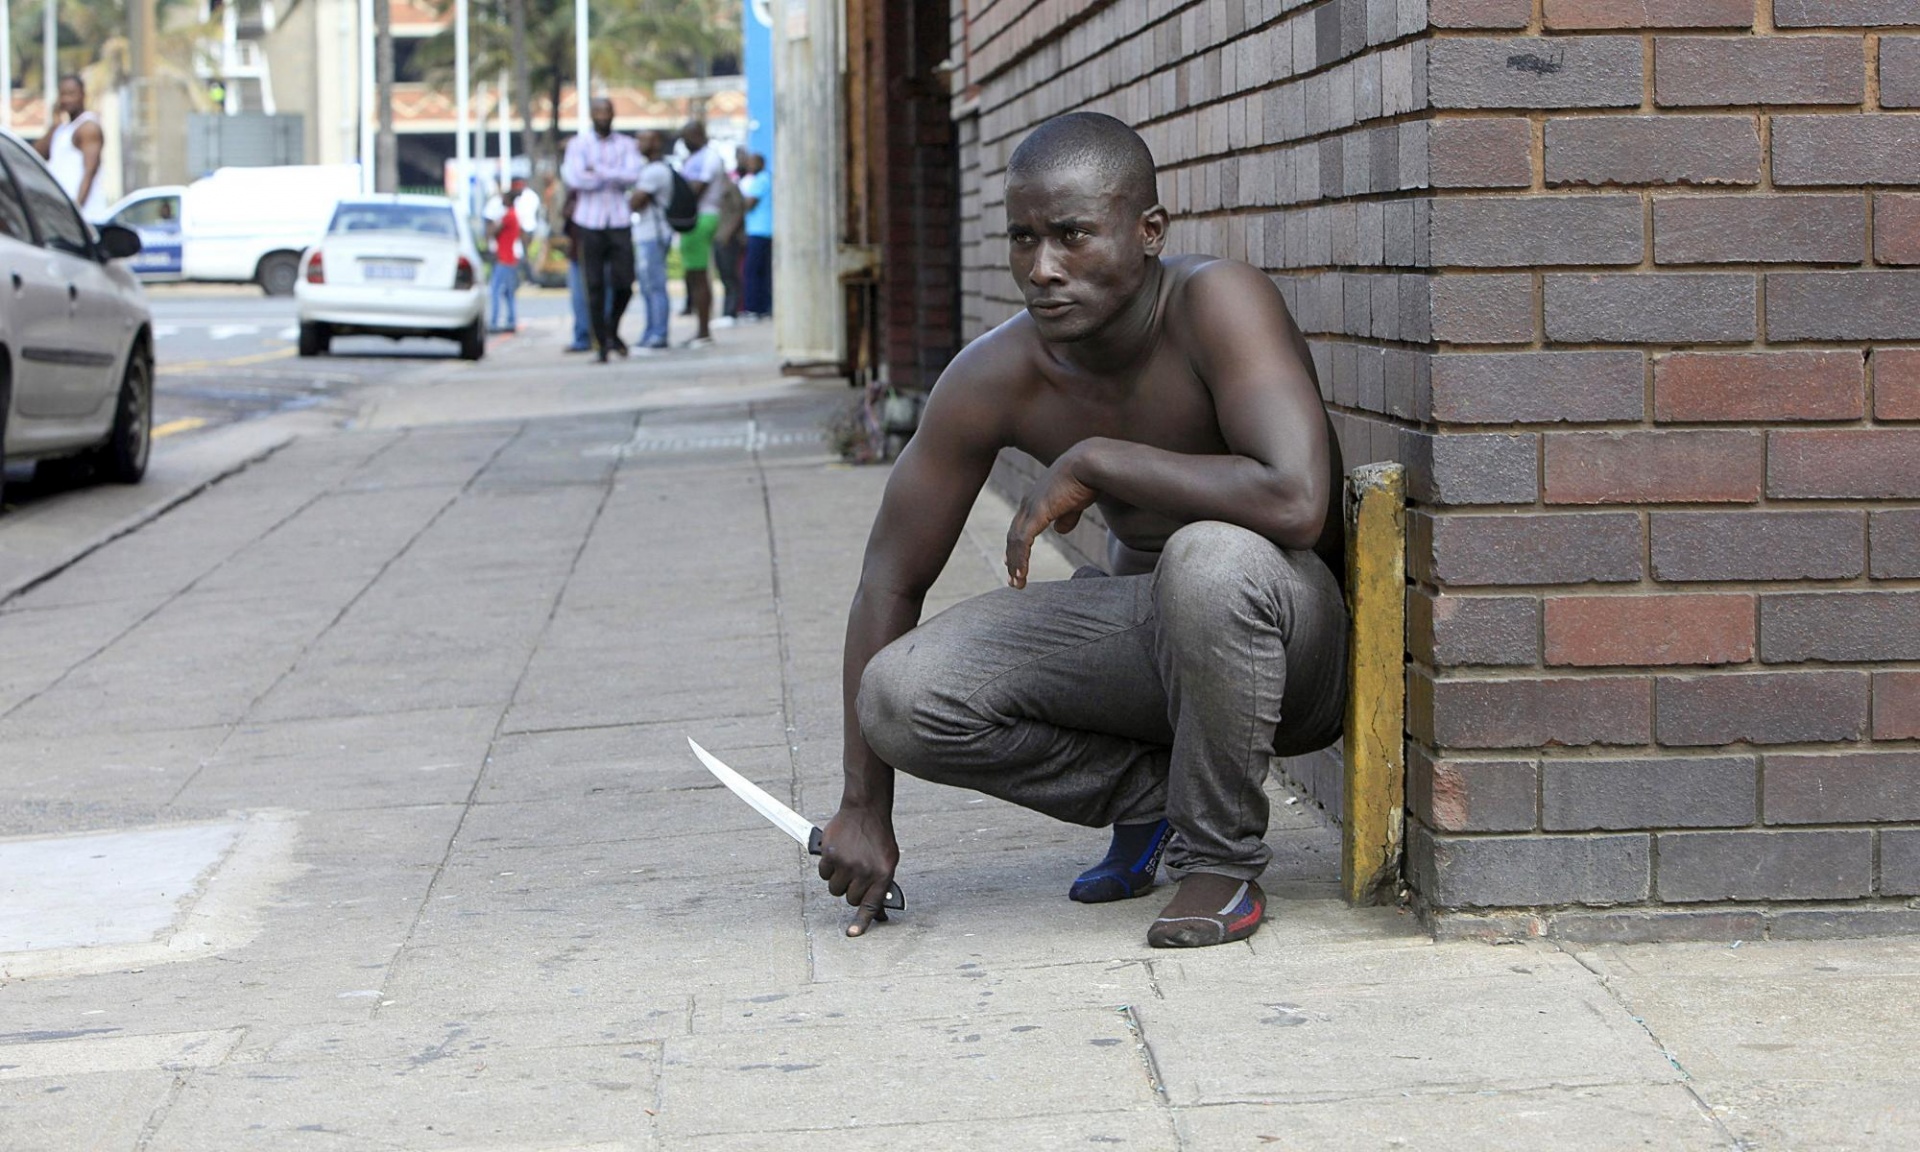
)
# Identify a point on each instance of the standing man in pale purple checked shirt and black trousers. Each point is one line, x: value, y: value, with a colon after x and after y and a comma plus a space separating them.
x: 602, y: 168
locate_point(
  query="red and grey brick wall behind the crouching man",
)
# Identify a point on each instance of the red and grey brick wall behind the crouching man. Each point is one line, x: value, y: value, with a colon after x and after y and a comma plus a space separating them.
x: 1635, y: 291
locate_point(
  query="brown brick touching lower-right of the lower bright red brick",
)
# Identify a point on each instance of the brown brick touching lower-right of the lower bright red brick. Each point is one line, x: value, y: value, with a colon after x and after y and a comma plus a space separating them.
x: 1762, y: 708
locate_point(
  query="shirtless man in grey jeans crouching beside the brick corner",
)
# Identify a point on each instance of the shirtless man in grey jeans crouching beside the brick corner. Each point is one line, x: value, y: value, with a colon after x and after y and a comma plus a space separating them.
x: 1178, y: 396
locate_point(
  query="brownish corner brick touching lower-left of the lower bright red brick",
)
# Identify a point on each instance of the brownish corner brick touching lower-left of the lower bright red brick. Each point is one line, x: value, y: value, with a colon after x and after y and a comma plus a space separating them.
x: 1531, y: 713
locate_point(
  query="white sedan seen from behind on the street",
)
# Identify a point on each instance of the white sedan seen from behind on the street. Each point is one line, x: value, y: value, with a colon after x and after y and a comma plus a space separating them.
x: 393, y: 266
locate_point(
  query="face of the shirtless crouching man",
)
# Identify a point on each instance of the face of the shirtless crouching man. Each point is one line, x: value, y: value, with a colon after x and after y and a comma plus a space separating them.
x: 1078, y: 251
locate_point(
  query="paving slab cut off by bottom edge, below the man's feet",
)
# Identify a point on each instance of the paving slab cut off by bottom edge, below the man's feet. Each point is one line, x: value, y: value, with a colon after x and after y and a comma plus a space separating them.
x: 1573, y: 1120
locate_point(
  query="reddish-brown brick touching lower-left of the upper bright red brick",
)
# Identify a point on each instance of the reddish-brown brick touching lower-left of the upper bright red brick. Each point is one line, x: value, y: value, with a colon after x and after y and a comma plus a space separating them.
x: 1654, y: 468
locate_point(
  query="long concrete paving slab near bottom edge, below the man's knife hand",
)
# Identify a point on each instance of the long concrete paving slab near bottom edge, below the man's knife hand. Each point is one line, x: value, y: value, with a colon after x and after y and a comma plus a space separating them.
x: 965, y: 1068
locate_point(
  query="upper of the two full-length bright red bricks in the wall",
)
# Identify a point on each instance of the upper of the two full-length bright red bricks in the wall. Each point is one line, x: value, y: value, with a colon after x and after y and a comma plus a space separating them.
x: 1698, y: 387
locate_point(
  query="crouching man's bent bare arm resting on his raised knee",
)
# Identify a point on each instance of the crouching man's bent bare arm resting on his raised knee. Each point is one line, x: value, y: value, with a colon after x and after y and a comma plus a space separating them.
x: 1276, y: 477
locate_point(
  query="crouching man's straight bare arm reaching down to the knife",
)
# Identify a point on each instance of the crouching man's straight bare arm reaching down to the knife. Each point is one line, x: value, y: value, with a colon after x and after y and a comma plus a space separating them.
x: 921, y: 517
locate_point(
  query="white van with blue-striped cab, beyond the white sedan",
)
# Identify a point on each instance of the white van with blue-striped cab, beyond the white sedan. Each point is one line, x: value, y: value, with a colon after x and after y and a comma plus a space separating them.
x: 239, y: 226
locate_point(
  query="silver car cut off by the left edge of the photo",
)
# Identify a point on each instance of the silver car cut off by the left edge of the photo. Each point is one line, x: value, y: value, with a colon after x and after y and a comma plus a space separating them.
x: 76, y: 333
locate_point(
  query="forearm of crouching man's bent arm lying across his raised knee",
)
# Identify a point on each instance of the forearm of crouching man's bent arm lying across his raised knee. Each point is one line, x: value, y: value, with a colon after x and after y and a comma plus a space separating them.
x: 1232, y: 489
